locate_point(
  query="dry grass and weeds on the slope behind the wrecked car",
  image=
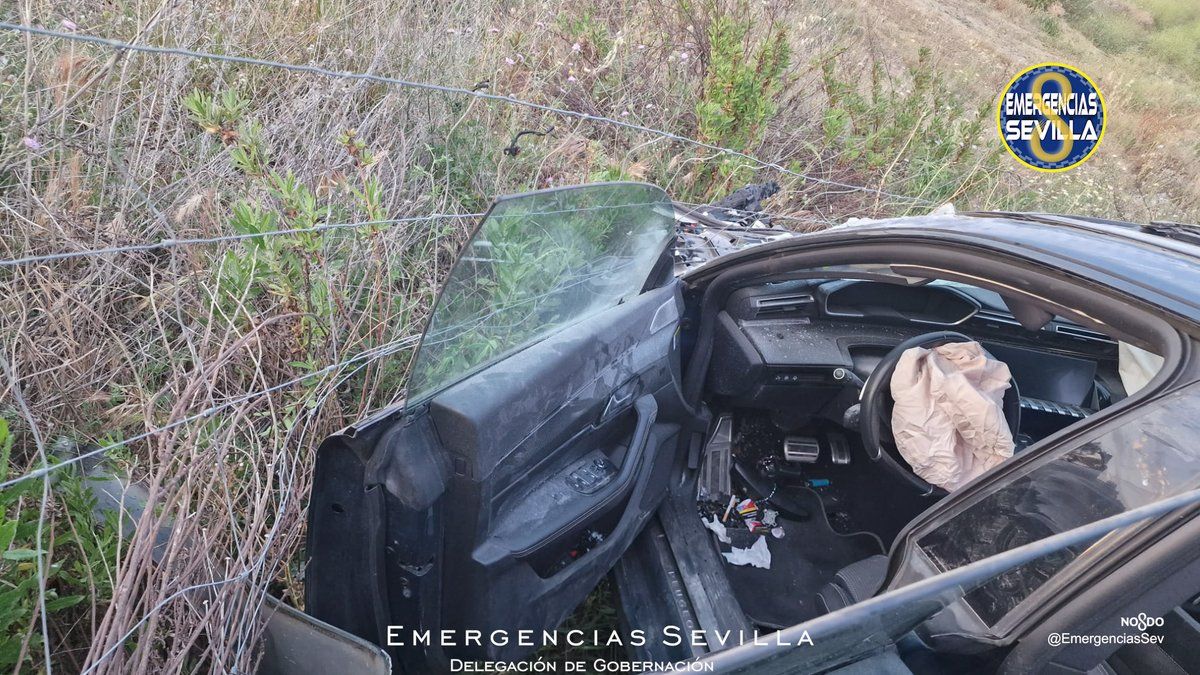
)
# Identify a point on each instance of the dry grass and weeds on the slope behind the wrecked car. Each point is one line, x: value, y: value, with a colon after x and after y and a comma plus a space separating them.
x: 98, y: 151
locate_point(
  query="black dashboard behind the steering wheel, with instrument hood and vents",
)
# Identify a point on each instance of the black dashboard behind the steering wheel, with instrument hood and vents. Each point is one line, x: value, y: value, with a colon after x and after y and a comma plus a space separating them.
x: 777, y: 337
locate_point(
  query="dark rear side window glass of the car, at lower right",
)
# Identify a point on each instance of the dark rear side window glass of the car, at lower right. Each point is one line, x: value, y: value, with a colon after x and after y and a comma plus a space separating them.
x: 1151, y: 457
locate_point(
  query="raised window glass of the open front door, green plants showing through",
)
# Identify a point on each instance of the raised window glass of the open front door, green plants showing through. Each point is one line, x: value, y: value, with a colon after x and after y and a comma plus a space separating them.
x: 538, y: 264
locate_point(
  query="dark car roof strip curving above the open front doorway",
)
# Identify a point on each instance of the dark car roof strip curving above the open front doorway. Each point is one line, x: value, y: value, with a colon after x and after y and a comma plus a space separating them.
x: 1151, y: 266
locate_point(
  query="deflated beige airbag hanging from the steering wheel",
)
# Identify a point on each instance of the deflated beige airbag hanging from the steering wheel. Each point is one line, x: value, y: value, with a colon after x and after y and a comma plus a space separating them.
x: 949, y: 419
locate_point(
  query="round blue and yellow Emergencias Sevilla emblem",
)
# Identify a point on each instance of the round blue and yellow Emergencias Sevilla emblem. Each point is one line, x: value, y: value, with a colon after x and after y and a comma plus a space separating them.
x: 1052, y: 117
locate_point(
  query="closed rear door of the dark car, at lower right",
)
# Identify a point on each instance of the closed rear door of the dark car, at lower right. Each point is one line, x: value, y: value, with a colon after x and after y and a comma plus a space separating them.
x: 1135, y: 458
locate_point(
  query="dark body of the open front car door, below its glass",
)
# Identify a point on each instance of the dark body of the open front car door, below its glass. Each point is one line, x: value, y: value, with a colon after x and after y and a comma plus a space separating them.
x: 505, y: 450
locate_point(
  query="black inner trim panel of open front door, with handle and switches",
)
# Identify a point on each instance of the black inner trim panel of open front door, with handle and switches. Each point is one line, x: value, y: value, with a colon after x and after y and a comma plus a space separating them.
x: 590, y: 393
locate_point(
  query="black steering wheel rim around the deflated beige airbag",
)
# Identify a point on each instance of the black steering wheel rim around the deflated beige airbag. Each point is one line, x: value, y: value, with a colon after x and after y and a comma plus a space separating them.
x: 875, y: 417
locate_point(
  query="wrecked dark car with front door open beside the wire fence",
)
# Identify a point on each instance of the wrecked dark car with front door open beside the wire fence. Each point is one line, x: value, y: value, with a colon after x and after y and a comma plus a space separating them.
x: 727, y: 444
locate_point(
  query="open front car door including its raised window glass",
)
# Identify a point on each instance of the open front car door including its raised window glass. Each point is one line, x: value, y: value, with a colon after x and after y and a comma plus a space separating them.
x: 542, y: 422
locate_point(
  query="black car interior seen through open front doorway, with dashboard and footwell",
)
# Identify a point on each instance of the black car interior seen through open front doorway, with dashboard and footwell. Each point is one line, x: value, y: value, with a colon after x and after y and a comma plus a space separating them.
x: 800, y: 453
